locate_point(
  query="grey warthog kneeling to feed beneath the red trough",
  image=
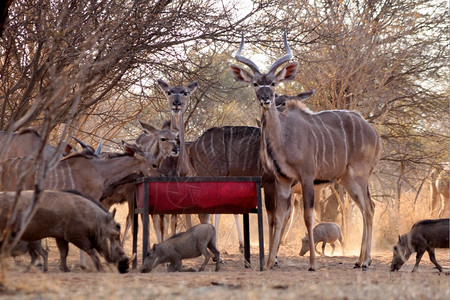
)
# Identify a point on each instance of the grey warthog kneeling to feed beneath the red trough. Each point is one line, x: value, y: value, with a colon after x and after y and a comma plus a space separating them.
x: 190, y: 244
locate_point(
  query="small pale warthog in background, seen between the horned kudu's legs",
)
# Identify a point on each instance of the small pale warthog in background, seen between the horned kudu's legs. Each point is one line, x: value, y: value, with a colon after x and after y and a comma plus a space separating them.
x: 325, y: 233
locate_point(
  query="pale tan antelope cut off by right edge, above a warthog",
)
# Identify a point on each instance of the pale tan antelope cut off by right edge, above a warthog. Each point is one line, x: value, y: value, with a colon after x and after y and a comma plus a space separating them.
x: 439, y: 187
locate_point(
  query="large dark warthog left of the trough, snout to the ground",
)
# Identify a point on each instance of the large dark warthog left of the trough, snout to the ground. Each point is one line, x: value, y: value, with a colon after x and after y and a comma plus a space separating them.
x: 70, y: 218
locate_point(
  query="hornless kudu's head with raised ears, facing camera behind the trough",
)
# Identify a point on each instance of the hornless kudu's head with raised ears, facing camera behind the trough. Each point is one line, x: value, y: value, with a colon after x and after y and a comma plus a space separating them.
x: 177, y: 95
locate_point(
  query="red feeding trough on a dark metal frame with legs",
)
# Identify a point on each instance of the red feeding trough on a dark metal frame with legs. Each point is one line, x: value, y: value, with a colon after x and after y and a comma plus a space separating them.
x: 199, y: 195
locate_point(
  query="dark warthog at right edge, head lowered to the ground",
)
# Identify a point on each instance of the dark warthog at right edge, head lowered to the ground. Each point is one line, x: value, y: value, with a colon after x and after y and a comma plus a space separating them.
x: 425, y: 235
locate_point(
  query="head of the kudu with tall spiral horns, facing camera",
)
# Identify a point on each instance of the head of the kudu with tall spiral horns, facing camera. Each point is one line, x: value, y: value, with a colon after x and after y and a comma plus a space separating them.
x: 264, y: 83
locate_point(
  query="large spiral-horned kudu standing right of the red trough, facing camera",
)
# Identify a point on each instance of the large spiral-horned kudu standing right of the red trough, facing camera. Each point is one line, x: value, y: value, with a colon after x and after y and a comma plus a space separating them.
x: 308, y: 147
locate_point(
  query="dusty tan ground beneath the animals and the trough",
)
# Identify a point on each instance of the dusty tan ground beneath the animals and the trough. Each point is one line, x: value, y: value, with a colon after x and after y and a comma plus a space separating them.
x: 334, y: 279
